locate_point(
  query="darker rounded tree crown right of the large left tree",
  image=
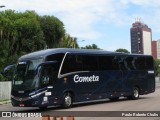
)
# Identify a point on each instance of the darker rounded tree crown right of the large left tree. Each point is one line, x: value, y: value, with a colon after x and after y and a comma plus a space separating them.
x: 53, y: 30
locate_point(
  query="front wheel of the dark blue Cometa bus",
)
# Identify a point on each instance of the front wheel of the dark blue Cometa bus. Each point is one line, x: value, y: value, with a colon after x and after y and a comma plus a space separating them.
x: 67, y: 100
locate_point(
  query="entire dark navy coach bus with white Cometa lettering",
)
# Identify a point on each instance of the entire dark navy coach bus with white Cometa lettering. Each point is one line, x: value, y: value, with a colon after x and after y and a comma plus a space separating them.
x: 66, y: 76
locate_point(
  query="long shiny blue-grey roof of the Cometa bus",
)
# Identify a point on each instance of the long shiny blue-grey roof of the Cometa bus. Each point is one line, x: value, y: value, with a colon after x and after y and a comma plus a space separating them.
x: 46, y: 52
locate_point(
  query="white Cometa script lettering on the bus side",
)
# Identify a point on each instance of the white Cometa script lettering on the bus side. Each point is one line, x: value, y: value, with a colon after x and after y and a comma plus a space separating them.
x: 93, y: 78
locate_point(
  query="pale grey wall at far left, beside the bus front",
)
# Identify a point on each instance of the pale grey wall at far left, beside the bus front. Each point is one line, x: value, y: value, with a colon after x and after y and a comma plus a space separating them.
x: 5, y: 90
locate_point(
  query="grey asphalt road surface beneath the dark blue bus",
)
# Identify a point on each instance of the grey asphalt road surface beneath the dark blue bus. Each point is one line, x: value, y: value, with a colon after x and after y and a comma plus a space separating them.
x: 147, y: 106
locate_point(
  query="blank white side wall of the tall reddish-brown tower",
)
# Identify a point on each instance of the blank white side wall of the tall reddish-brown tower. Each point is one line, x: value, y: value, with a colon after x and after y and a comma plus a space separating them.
x: 147, y: 50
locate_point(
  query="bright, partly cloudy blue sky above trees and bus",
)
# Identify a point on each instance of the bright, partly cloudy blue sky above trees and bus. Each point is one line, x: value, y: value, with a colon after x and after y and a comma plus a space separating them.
x: 106, y: 23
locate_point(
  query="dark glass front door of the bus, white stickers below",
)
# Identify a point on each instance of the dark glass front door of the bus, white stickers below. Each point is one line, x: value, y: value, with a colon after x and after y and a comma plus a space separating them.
x: 47, y: 73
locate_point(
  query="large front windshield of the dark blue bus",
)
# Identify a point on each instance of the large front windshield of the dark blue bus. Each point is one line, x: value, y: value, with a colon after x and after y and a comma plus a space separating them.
x: 25, y: 78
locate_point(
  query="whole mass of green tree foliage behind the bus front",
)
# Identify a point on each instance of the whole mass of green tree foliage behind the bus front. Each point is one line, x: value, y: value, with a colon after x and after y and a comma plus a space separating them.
x: 25, y: 32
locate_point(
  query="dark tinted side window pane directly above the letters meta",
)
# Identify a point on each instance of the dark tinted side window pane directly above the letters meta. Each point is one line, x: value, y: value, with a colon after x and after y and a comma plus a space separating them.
x: 90, y: 63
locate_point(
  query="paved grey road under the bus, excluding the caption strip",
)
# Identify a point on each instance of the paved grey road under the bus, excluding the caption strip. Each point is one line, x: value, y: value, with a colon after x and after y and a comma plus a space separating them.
x: 150, y: 102
